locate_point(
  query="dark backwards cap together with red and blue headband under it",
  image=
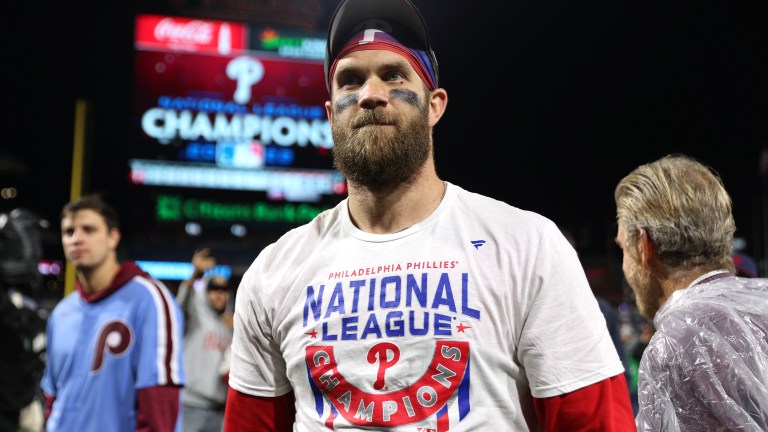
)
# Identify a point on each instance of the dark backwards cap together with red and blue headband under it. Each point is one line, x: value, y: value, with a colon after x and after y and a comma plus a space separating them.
x: 401, y: 26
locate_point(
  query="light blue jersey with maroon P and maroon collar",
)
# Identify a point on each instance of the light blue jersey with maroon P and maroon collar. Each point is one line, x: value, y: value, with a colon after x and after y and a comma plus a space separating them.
x: 102, y: 349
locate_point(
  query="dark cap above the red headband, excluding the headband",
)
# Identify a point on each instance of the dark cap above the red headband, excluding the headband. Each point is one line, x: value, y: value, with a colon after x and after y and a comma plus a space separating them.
x: 399, y: 18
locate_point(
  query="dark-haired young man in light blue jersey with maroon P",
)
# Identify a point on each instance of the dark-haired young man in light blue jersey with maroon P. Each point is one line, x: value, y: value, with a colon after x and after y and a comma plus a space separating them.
x: 114, y: 345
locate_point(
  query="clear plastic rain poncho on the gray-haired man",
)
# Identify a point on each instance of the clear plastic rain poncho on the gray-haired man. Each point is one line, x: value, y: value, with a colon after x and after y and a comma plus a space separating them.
x: 706, y: 367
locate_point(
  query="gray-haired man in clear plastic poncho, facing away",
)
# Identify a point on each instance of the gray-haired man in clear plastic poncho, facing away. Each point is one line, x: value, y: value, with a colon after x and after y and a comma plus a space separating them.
x: 706, y: 367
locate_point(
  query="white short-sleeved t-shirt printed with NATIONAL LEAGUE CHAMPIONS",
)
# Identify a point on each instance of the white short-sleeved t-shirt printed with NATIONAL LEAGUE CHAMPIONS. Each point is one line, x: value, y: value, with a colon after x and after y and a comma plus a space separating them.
x: 454, y: 322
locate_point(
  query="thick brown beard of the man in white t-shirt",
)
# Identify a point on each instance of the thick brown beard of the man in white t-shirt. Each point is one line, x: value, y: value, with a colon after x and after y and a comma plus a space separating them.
x: 378, y: 155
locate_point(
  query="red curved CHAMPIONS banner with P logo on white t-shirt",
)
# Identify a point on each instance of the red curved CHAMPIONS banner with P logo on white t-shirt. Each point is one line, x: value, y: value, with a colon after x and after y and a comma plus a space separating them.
x: 445, y: 381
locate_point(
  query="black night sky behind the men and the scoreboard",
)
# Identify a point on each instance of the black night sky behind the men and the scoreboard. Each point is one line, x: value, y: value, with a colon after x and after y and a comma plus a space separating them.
x: 550, y: 102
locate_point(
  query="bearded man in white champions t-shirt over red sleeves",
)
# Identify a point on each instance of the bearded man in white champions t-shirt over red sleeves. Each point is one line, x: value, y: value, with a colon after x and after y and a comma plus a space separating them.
x: 415, y: 304
